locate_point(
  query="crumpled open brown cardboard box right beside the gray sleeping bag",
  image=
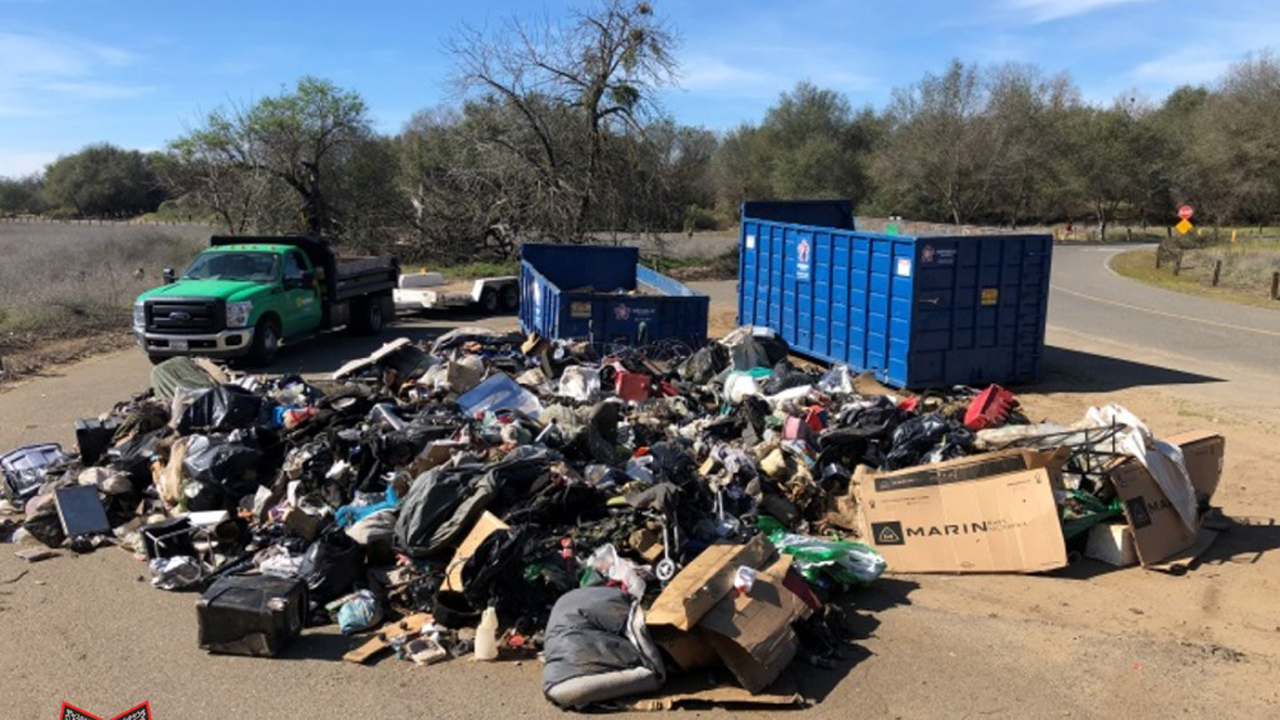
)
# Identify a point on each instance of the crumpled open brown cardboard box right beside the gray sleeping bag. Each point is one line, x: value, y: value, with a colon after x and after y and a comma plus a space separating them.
x: 701, y: 621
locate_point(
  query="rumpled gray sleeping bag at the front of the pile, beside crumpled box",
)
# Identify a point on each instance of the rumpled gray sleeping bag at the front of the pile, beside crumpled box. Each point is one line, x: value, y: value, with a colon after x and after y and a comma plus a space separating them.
x: 598, y: 649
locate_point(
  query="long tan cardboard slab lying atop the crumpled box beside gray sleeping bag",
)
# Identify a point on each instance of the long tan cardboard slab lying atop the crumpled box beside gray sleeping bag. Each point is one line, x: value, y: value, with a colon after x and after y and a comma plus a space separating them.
x: 696, y: 590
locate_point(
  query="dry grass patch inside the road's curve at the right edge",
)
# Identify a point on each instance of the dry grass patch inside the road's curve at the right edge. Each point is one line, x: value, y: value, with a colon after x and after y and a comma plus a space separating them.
x: 1196, y: 276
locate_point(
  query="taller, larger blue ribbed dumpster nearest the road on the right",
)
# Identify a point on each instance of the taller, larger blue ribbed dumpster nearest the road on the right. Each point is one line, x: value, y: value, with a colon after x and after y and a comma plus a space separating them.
x: 918, y: 312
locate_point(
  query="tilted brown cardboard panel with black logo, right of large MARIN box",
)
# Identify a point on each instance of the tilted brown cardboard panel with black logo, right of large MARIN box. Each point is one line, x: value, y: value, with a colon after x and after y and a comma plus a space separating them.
x: 1159, y: 532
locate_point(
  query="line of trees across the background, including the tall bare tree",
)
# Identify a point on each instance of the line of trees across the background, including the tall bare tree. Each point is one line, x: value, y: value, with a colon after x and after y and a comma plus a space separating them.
x: 559, y: 135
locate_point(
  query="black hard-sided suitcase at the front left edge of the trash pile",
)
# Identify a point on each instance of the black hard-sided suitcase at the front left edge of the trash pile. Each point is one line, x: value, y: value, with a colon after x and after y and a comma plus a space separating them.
x: 252, y: 614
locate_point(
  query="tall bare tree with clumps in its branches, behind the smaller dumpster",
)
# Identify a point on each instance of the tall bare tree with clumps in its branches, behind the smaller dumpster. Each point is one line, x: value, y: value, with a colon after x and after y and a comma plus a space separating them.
x: 600, y: 70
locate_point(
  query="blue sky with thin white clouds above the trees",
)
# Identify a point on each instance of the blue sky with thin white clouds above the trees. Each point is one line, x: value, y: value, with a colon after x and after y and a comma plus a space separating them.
x: 140, y: 72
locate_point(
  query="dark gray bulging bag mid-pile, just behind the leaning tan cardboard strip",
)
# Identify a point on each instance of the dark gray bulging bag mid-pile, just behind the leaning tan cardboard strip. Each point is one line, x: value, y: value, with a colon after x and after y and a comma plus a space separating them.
x: 441, y: 507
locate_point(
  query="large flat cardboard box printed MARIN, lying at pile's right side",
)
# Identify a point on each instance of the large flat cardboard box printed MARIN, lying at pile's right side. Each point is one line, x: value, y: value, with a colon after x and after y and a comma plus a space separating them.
x: 991, y: 513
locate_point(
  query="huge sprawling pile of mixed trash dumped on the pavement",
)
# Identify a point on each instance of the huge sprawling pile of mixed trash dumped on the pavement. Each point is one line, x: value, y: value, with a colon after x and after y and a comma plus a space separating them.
x: 624, y: 517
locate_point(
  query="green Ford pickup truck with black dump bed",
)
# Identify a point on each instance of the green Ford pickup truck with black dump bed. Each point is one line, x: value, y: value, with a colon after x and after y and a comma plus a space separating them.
x: 245, y: 297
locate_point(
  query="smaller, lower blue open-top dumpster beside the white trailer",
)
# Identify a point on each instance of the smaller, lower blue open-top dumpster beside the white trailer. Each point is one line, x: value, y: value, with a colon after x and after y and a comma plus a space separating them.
x: 605, y: 295
